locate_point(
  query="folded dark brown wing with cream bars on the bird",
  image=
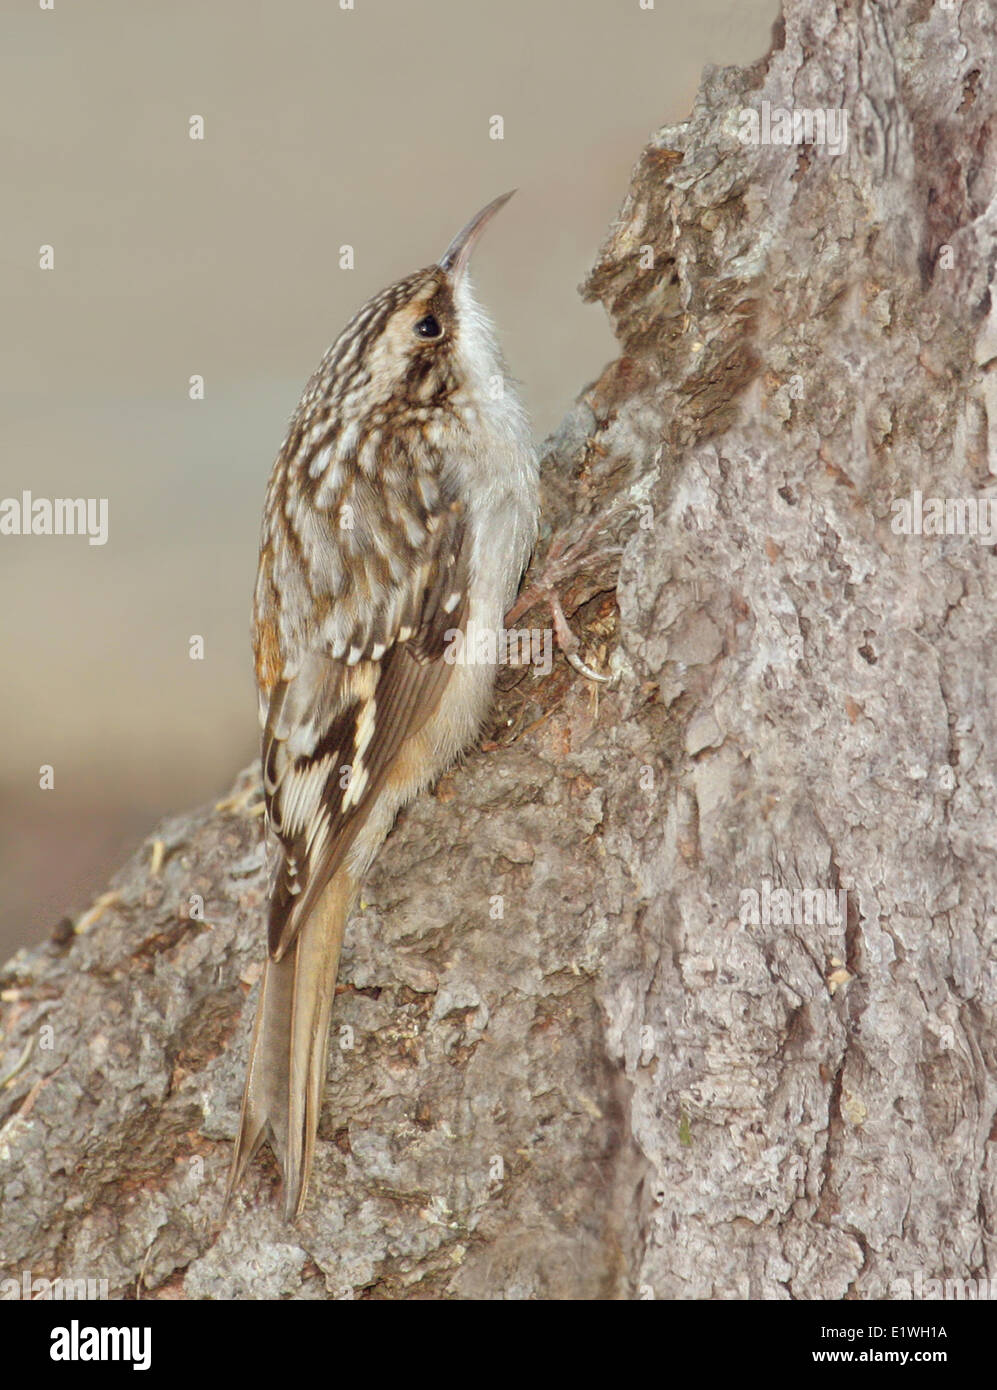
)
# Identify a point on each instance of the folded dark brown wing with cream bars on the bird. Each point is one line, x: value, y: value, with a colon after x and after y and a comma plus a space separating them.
x: 334, y: 729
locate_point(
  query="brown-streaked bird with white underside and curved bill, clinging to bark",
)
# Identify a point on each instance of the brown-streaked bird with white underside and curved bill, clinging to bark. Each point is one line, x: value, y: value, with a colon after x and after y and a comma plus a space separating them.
x: 401, y: 512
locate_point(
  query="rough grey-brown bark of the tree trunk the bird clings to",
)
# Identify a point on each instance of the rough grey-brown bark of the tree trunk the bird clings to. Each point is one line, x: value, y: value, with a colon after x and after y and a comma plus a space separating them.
x: 619, y: 1086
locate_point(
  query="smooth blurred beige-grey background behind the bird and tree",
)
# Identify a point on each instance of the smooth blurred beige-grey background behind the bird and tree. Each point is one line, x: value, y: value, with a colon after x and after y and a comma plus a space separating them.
x: 220, y: 258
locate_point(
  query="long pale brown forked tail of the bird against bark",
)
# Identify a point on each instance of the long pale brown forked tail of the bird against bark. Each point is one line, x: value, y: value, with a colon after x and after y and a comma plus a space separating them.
x: 287, y: 1057
